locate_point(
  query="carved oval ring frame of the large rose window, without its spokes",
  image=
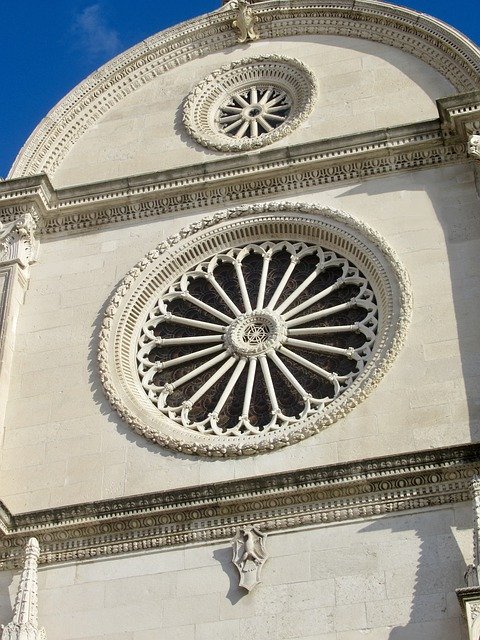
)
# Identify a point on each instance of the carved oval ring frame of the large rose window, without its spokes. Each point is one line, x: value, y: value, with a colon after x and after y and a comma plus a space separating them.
x: 144, y: 284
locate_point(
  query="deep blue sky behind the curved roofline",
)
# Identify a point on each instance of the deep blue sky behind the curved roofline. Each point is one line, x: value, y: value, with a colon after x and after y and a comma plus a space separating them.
x: 49, y: 46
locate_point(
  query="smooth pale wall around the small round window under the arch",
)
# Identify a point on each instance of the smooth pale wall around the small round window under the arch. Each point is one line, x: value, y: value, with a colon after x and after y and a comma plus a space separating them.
x: 362, y: 86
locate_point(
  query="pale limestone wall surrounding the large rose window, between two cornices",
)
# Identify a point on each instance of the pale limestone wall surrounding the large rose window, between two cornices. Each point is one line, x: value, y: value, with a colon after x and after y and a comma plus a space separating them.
x: 63, y: 444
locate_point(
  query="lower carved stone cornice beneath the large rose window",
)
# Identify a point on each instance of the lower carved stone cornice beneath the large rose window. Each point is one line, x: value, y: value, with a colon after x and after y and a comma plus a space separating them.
x: 274, y: 503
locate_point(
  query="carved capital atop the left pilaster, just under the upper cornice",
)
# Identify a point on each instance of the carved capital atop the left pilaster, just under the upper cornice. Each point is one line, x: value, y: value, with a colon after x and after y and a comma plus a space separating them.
x: 17, y: 241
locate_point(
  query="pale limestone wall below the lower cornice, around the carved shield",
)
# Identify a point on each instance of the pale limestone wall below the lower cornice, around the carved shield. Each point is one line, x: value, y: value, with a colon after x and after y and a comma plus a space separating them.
x: 386, y: 579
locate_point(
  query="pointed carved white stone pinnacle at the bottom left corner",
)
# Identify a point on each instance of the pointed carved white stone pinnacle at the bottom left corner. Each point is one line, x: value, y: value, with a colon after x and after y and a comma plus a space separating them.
x: 24, y: 625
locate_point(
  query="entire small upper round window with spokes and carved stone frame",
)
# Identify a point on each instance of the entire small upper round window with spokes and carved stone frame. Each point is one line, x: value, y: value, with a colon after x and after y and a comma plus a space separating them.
x: 250, y: 103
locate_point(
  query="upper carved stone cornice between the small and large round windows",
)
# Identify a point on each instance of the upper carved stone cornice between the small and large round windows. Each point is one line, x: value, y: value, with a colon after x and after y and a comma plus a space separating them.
x: 284, y: 171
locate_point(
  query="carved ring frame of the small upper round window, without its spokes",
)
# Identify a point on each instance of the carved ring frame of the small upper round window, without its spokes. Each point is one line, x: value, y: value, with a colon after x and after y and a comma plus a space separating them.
x: 203, y: 105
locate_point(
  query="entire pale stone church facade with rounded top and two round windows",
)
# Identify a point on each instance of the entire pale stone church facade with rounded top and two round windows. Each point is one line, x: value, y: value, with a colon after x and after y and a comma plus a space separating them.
x: 368, y: 508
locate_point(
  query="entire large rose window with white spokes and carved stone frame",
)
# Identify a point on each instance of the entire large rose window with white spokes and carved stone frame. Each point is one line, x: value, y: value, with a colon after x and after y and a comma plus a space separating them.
x: 156, y: 324
